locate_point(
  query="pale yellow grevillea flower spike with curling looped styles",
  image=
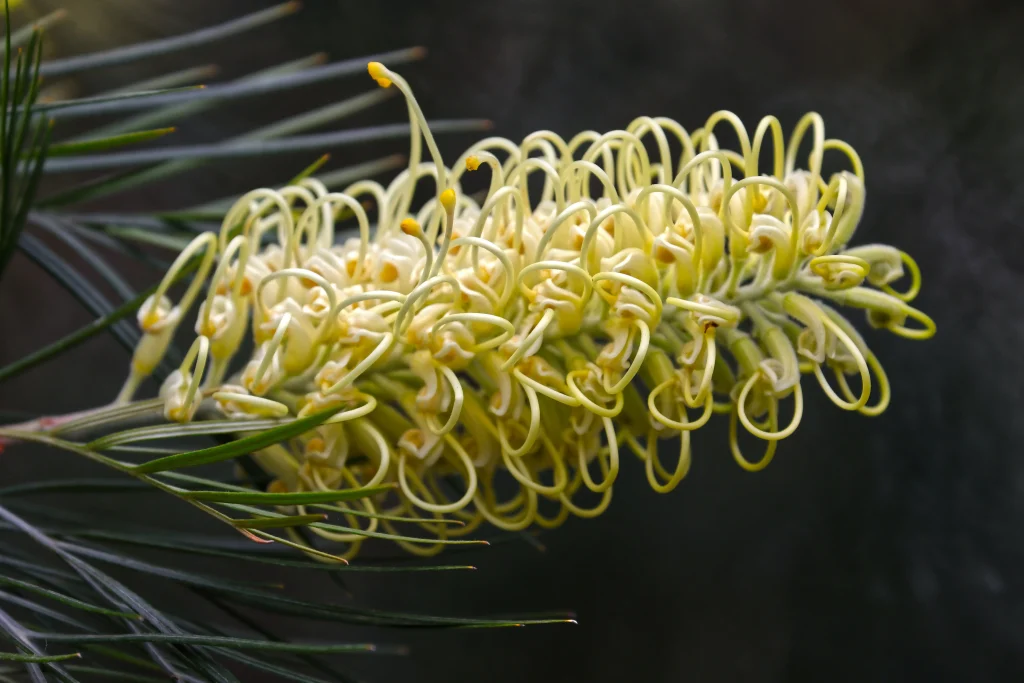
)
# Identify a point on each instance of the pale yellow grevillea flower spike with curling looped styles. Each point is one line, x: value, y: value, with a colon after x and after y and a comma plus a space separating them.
x: 474, y: 347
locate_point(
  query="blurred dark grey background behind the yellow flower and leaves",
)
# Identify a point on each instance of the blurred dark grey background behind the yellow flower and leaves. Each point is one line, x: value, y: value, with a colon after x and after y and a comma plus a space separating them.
x: 887, y: 549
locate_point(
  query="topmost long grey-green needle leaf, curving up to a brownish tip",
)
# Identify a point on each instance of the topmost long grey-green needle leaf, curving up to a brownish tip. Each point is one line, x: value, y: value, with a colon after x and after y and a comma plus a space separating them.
x: 167, y: 46
